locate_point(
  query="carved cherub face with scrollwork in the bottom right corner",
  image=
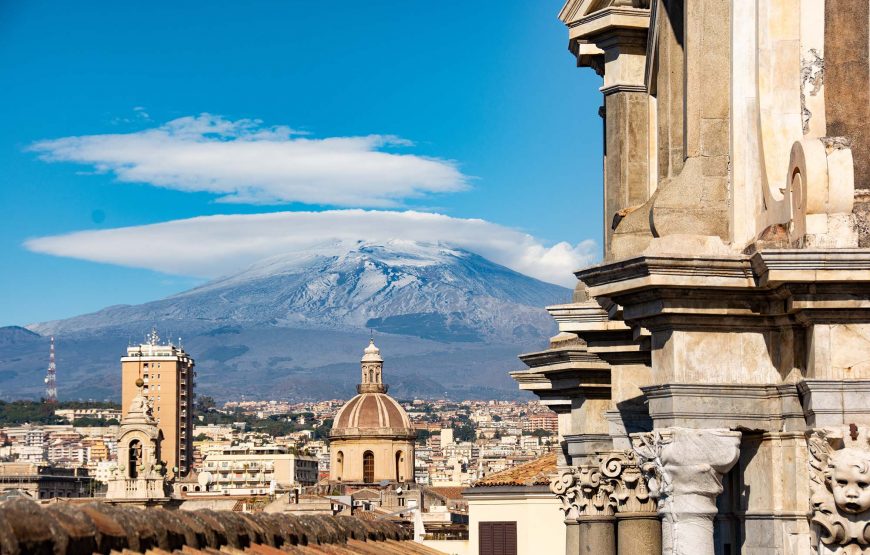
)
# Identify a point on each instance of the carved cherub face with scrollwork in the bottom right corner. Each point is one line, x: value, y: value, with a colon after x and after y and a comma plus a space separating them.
x: 839, y: 465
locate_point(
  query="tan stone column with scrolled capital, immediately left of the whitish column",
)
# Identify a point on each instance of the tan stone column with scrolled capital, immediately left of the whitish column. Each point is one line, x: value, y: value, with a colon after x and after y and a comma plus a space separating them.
x: 638, y: 528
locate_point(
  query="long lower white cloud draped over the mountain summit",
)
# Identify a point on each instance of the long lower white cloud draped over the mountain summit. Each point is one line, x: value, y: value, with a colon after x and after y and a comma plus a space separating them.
x: 212, y: 246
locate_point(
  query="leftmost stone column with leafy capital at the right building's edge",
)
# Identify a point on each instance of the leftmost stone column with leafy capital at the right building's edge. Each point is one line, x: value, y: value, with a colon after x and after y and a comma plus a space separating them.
x: 586, y: 501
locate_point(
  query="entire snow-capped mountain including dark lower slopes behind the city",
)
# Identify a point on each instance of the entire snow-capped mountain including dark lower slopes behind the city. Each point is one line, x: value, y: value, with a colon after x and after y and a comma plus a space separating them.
x: 449, y: 322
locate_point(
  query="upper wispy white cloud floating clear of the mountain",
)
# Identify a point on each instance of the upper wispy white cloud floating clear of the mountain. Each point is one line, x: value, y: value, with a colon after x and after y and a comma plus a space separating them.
x: 245, y: 162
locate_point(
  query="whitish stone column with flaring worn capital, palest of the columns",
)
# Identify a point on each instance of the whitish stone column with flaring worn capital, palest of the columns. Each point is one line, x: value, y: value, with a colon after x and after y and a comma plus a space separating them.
x: 685, y: 469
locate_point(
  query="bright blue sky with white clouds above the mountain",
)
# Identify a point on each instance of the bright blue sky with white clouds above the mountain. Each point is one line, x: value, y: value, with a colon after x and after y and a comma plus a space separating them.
x: 464, y: 109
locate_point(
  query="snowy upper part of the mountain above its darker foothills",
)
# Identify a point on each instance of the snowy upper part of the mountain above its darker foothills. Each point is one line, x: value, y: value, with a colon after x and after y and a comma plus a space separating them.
x: 427, y: 290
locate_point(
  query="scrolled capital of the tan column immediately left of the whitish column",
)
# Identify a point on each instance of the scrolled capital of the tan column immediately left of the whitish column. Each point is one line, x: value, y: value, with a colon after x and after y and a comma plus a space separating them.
x: 630, y: 492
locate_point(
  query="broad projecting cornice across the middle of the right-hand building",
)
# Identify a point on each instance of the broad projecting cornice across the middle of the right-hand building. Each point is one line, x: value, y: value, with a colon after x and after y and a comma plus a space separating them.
x: 769, y: 289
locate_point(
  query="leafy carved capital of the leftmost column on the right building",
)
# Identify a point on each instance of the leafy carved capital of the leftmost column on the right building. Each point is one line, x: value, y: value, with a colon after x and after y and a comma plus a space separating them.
x: 582, y: 492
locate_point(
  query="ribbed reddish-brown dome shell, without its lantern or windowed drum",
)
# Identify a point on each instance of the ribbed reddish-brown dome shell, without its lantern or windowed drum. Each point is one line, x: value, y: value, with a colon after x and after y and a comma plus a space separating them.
x: 372, y: 414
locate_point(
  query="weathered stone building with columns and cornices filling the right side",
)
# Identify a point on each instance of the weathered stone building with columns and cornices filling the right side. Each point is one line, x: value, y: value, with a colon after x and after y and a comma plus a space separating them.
x: 712, y: 374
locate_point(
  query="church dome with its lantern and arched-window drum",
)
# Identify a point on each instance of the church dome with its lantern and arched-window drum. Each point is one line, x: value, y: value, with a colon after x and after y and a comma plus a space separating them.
x: 372, y: 439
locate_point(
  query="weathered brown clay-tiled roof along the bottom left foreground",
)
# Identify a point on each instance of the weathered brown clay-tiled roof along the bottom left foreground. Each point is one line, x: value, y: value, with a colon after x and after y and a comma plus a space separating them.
x: 65, y: 529
